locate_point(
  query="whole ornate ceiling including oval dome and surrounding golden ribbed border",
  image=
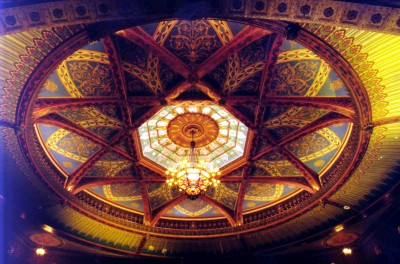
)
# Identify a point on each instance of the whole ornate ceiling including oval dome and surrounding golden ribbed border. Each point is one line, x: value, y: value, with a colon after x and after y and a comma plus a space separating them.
x: 293, y: 125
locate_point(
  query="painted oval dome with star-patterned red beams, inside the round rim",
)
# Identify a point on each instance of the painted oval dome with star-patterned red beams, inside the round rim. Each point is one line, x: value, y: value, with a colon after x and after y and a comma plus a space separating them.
x: 103, y: 115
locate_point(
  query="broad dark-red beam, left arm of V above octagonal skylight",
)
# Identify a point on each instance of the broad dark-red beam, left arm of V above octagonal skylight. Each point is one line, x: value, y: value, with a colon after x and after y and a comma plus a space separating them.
x: 143, y: 39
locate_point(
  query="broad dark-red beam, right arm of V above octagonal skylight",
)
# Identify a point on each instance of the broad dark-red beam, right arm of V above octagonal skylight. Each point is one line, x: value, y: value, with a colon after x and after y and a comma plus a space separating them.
x: 246, y: 36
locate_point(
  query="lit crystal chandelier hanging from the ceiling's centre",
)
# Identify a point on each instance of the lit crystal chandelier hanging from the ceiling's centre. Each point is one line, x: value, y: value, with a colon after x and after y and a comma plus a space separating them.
x: 191, y: 176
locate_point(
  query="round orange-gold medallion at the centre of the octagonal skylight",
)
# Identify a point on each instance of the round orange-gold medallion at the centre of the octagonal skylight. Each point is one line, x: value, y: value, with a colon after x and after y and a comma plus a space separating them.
x: 192, y: 126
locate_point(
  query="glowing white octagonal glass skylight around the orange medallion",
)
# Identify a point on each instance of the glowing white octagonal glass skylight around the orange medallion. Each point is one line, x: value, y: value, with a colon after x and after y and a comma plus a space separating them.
x: 227, y: 145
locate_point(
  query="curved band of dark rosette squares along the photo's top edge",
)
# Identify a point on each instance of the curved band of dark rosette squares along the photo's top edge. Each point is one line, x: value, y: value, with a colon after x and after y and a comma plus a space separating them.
x: 371, y: 17
